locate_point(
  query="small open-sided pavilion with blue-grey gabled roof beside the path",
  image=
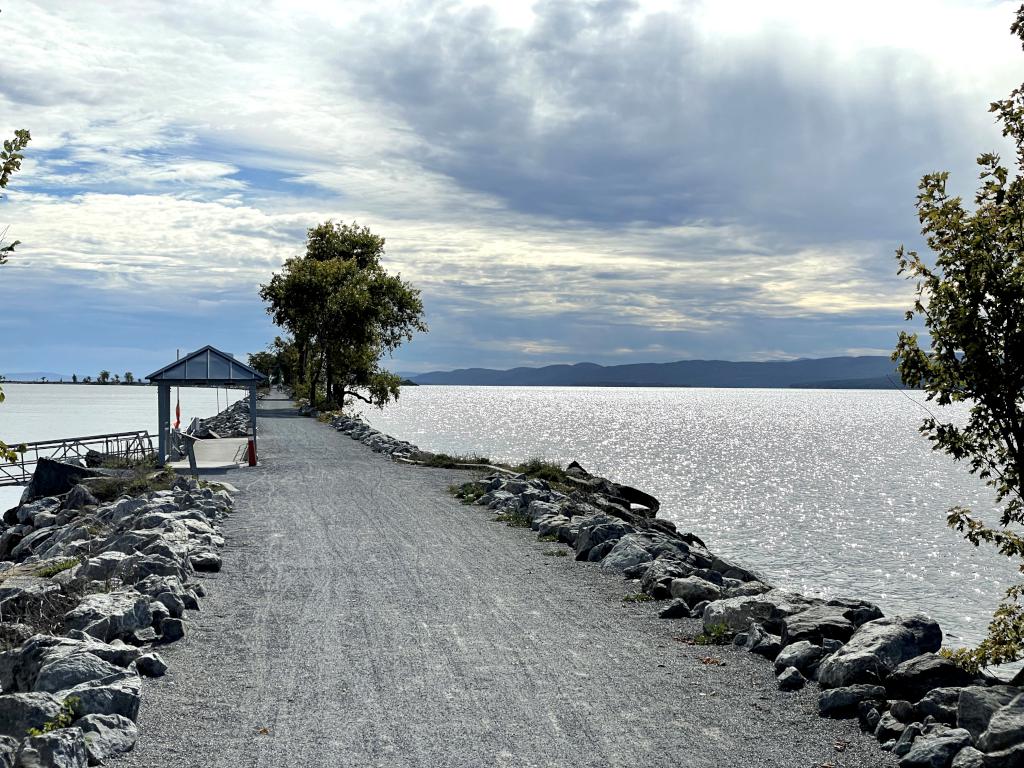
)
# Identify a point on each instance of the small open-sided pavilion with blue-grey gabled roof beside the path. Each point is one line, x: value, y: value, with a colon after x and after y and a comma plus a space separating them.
x: 204, y: 368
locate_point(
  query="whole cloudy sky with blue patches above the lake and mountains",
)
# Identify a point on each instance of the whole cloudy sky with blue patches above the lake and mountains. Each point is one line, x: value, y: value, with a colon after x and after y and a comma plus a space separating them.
x: 565, y: 181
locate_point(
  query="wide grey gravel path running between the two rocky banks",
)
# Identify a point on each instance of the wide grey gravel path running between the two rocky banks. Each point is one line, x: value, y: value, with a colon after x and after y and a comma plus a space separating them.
x: 365, y: 618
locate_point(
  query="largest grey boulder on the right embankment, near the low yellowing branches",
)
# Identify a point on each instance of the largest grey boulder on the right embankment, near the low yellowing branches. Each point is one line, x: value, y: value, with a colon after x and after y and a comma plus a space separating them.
x: 878, y: 648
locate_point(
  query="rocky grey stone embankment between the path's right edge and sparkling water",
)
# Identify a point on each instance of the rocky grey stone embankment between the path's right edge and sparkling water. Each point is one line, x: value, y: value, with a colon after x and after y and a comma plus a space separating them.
x: 885, y: 671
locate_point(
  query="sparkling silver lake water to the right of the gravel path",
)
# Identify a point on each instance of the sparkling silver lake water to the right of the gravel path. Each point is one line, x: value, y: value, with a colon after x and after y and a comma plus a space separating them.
x: 826, y: 492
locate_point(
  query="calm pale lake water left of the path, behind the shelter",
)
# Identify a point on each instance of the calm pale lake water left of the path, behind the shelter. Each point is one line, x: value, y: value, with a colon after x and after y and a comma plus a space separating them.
x: 44, y: 412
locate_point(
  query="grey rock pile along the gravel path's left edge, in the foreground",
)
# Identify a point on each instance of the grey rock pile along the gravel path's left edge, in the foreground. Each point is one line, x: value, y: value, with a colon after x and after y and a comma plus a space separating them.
x: 89, y: 593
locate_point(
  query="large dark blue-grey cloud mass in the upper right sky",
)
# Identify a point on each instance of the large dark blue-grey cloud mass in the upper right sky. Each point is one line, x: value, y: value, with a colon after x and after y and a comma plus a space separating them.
x: 591, y: 116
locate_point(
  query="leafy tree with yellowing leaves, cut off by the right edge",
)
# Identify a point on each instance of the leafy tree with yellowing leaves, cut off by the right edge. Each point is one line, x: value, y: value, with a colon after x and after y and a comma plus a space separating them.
x: 972, y: 303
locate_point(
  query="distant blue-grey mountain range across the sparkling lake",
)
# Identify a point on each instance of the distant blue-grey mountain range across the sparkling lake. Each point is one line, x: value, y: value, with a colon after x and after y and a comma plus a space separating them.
x: 827, y: 373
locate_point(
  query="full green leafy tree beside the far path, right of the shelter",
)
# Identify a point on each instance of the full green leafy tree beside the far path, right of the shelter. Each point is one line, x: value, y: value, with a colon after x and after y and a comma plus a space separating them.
x: 345, y: 313
